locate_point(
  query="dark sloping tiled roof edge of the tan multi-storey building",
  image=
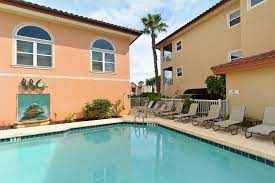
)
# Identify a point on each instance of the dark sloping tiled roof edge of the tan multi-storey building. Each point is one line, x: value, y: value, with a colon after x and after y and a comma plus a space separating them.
x: 210, y: 10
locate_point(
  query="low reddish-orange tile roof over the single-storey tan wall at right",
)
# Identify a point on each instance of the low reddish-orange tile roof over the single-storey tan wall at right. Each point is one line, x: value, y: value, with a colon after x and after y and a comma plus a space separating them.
x: 254, y: 62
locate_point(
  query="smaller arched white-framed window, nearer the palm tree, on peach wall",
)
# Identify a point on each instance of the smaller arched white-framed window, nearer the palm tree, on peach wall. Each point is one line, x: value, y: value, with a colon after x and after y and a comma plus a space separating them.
x: 103, y: 56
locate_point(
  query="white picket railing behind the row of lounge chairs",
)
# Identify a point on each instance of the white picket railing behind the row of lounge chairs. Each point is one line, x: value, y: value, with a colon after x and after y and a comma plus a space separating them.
x: 204, y: 105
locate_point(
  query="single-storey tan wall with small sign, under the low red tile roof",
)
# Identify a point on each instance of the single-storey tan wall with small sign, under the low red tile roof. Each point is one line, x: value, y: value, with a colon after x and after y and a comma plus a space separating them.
x: 256, y: 90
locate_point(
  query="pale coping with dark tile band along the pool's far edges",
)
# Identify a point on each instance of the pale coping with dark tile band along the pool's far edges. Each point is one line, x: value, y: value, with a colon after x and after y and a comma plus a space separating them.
x: 32, y: 132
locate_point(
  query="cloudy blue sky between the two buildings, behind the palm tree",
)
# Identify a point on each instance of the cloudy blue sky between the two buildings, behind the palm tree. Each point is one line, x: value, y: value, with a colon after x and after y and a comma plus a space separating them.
x: 128, y: 13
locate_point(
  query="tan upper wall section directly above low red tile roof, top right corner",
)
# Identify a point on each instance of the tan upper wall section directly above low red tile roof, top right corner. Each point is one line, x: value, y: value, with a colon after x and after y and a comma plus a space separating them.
x: 258, y: 27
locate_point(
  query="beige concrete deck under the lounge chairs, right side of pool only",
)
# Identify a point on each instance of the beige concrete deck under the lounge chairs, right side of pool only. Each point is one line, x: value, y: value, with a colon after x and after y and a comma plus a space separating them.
x: 257, y: 145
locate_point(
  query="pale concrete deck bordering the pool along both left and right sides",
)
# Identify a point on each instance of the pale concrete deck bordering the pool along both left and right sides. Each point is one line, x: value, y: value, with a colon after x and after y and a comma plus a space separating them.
x: 259, y: 146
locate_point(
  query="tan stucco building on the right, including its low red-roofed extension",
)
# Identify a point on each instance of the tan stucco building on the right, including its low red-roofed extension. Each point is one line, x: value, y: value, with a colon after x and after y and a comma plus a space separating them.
x: 219, y: 38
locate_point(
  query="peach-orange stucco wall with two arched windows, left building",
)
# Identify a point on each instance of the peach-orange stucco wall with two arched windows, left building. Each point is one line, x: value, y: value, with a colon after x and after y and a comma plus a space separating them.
x: 71, y: 83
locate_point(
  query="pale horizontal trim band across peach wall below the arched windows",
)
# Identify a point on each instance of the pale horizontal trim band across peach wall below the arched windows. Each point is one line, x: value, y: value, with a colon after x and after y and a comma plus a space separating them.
x: 7, y: 74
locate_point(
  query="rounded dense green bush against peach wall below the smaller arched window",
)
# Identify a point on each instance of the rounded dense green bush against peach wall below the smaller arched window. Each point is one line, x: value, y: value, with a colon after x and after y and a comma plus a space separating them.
x: 98, y: 109
